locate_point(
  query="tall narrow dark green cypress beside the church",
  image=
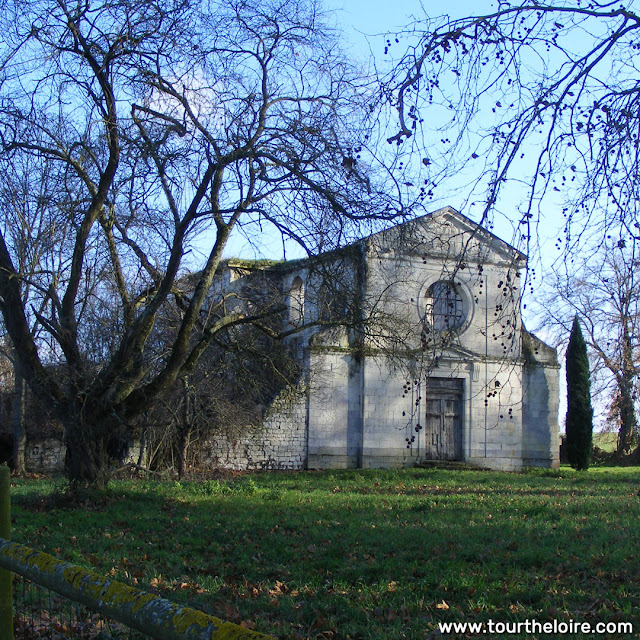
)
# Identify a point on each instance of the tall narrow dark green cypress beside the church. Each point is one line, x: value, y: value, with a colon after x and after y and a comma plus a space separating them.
x: 579, y: 424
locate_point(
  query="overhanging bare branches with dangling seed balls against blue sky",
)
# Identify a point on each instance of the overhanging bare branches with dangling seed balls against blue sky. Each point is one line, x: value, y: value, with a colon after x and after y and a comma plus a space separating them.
x: 541, y: 96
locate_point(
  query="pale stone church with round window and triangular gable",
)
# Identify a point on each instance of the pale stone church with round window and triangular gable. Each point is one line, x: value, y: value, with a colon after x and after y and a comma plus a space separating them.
x: 412, y: 348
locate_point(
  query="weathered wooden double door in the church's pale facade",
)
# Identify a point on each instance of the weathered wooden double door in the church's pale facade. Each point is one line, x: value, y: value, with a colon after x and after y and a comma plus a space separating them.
x: 443, y: 420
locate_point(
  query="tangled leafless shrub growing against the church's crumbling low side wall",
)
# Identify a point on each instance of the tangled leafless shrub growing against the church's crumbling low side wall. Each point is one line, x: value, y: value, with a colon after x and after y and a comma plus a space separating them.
x: 226, y: 395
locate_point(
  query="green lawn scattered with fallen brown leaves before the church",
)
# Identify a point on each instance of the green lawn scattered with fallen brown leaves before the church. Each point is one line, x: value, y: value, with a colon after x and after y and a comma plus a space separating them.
x: 361, y: 554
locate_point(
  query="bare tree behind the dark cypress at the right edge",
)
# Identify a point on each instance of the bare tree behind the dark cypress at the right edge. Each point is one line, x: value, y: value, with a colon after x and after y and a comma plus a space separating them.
x: 605, y: 292
